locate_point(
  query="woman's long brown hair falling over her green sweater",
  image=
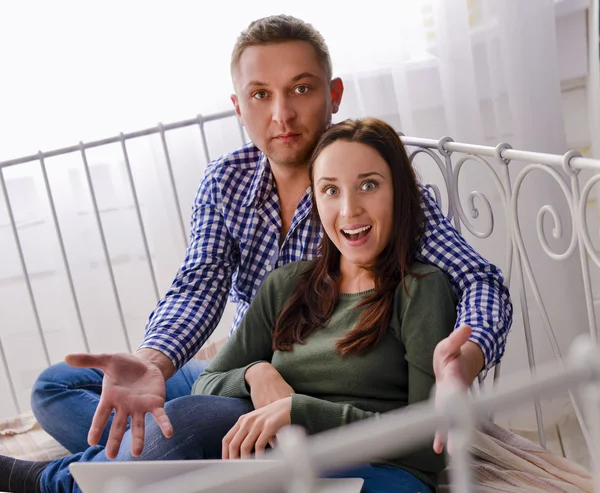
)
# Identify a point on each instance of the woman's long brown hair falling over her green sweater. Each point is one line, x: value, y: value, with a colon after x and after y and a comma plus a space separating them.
x: 314, y: 299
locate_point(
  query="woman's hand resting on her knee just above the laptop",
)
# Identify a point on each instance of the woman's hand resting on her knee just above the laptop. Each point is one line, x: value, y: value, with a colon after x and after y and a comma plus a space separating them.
x: 256, y: 429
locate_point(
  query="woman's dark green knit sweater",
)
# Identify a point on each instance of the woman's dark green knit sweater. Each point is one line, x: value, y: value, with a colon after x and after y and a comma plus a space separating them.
x: 332, y: 390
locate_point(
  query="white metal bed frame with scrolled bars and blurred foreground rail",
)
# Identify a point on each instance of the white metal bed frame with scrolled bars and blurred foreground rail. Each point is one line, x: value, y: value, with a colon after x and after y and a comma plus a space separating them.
x: 304, y: 458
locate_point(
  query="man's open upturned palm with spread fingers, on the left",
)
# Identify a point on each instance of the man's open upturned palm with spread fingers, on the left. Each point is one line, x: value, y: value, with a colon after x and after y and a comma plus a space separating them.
x: 132, y: 387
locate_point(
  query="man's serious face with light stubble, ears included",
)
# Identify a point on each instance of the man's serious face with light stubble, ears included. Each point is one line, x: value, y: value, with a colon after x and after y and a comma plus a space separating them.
x: 284, y: 99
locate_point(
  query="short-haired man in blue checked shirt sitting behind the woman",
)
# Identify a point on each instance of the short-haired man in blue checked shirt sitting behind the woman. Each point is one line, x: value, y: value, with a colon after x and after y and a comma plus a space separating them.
x: 252, y: 214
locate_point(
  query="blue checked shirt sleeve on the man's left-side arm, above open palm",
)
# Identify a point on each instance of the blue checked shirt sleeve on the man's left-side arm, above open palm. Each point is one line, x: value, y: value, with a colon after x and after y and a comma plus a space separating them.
x: 190, y: 311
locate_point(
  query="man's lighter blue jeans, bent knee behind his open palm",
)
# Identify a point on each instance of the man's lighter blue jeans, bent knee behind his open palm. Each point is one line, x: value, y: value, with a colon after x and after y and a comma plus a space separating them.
x: 64, y: 400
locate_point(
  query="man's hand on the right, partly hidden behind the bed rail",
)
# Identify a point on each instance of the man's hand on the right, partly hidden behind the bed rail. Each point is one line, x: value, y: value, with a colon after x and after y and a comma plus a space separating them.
x: 456, y: 361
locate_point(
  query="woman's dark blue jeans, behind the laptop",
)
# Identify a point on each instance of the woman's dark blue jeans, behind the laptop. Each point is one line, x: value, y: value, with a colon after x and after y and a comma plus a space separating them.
x: 201, y: 439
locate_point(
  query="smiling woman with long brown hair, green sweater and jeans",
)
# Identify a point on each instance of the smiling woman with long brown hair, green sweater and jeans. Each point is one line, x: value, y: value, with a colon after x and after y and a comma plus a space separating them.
x: 351, y: 333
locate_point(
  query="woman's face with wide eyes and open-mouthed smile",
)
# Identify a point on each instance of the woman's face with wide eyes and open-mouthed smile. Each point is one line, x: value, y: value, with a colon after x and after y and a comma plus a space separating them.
x: 354, y: 197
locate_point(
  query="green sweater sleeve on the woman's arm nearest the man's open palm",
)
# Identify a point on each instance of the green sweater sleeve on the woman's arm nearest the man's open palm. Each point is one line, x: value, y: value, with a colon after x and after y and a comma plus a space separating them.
x: 249, y: 344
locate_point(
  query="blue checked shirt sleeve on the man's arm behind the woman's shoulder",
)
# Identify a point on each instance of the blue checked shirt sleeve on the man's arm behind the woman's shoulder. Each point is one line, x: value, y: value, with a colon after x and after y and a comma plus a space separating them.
x: 484, y: 301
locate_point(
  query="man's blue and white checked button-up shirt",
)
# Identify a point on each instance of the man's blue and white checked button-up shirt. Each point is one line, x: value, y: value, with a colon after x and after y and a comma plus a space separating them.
x: 234, y: 244
